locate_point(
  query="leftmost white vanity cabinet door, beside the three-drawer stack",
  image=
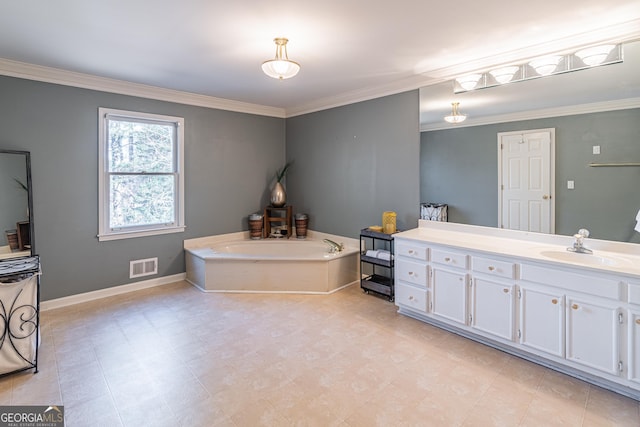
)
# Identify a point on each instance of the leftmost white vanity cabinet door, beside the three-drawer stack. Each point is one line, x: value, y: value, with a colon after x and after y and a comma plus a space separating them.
x: 450, y: 295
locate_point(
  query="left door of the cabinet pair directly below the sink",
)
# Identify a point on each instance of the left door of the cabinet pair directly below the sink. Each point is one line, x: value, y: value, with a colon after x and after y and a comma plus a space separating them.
x: 542, y: 321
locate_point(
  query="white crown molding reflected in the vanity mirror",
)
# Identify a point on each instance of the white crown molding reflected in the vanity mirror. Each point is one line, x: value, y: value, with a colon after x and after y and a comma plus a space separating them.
x: 596, y: 107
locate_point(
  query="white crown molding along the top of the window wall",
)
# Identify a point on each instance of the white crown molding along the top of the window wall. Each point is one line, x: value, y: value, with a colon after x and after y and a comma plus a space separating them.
x: 86, y: 81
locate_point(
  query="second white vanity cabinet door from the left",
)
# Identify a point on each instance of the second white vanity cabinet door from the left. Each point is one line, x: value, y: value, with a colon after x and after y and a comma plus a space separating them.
x: 492, y: 307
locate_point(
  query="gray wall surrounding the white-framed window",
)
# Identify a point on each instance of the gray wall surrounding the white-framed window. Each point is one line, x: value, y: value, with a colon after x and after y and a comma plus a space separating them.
x: 230, y: 161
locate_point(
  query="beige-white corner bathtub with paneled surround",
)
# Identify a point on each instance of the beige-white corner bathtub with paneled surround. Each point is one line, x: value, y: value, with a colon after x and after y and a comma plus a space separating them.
x: 235, y: 263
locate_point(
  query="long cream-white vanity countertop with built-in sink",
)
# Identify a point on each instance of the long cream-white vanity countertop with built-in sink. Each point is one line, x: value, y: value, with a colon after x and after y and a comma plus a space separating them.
x: 608, y: 256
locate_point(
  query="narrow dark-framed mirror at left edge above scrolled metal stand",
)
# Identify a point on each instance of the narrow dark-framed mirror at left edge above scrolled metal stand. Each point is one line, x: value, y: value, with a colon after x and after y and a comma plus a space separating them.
x: 16, y: 205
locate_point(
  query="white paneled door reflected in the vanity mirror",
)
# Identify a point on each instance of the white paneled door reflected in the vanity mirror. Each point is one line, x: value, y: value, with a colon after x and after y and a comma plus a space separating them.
x: 526, y: 180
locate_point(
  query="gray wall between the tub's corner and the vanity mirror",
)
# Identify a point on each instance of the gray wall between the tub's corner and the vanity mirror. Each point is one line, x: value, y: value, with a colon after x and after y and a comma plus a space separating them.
x: 354, y: 162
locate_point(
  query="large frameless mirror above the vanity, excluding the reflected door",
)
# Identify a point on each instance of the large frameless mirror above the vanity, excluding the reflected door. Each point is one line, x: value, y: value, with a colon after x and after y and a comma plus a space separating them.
x: 589, y: 109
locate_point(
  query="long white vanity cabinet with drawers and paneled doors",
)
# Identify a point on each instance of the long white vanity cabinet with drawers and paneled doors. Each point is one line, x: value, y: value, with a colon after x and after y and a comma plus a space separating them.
x: 583, y: 320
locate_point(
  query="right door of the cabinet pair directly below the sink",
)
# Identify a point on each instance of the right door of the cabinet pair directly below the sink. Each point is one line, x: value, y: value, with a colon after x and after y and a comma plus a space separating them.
x: 592, y: 334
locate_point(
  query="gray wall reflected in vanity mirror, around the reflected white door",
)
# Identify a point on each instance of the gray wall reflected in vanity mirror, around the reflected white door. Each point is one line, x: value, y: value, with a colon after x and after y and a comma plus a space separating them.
x: 459, y: 167
